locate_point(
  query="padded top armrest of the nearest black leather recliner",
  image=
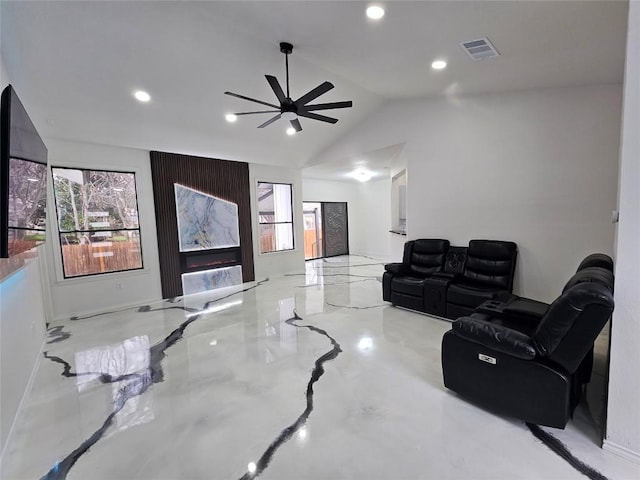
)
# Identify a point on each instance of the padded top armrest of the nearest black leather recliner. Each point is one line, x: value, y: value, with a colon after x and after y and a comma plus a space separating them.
x: 496, y: 337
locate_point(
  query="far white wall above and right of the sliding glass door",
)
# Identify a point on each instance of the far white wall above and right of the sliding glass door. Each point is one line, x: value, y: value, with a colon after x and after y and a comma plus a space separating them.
x: 368, y: 233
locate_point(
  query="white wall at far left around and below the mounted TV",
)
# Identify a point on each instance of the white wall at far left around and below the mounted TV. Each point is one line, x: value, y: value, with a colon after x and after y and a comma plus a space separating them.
x: 22, y: 328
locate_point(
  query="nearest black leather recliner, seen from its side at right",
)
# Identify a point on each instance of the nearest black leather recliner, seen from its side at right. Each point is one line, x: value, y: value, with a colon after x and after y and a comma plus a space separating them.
x: 527, y: 359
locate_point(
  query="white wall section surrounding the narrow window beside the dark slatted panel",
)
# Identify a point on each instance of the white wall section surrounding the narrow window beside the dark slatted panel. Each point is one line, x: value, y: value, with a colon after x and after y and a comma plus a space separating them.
x: 266, y: 264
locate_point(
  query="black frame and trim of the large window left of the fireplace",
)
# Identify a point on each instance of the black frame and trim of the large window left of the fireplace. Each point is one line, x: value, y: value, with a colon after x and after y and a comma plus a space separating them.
x: 60, y: 264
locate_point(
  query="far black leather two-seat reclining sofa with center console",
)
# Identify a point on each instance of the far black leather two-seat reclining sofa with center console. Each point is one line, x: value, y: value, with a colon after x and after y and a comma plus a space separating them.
x: 447, y: 281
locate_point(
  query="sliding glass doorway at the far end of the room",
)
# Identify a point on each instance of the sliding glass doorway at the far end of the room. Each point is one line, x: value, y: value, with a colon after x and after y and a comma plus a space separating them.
x: 326, y: 232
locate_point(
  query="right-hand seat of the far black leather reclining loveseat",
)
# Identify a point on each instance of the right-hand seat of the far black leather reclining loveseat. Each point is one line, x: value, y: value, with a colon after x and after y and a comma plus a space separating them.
x: 488, y: 275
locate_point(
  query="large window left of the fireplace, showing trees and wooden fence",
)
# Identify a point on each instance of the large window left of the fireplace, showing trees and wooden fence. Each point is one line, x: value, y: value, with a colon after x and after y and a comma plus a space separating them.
x: 97, y: 221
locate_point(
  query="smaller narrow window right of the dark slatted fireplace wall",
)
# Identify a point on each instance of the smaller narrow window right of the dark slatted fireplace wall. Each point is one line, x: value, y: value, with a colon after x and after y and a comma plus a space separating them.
x: 275, y: 217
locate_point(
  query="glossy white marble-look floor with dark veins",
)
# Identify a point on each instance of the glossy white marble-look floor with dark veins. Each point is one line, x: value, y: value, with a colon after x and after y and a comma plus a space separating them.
x: 303, y: 376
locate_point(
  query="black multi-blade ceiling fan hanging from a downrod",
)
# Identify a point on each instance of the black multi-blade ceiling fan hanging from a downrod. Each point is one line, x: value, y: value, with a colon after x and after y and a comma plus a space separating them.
x: 292, y: 109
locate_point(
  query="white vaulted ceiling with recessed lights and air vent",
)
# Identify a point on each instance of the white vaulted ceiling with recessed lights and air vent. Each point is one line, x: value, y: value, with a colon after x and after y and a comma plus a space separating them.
x: 76, y: 64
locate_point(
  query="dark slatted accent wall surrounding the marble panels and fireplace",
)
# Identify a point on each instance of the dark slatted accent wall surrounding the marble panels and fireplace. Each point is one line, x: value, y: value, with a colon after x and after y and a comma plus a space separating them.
x: 222, y: 178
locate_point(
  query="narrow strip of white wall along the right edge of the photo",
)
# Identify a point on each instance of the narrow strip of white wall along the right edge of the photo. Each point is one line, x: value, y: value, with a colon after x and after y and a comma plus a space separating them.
x: 623, y: 419
